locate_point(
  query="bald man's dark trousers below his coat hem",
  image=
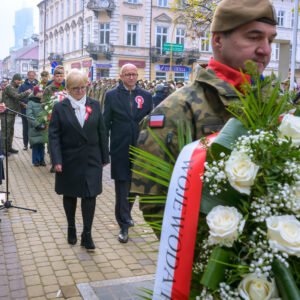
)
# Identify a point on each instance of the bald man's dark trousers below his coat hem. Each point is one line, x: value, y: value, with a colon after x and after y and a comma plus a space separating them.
x: 122, y: 206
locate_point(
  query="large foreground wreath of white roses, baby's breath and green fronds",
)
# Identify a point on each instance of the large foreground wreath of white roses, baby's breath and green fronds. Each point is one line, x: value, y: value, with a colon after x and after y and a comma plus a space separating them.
x: 247, y: 244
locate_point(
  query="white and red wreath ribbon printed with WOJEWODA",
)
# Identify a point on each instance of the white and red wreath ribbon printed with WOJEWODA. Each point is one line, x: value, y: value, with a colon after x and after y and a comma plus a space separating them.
x: 178, y: 238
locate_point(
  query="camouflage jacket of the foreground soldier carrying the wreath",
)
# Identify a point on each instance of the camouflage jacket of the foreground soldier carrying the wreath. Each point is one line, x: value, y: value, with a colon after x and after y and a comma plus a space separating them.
x: 202, y: 105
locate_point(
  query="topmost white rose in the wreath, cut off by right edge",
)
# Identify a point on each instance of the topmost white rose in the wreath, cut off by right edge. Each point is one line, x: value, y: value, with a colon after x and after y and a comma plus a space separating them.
x: 290, y: 127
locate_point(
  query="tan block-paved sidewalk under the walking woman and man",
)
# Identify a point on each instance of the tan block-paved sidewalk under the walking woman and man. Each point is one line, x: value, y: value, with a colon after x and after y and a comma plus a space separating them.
x: 36, y: 262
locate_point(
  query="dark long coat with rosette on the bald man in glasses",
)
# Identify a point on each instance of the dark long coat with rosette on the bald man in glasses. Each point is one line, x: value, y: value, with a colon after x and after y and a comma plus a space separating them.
x: 122, y: 117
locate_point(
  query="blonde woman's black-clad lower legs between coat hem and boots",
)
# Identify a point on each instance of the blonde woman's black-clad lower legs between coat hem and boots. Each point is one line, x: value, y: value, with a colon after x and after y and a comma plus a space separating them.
x: 88, y: 206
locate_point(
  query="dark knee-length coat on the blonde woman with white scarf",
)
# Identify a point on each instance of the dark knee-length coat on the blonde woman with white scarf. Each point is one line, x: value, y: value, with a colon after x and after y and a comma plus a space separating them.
x: 82, y: 152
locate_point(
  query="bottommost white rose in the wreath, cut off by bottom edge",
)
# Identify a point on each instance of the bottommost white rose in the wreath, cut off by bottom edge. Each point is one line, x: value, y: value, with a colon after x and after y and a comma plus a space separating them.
x: 256, y: 288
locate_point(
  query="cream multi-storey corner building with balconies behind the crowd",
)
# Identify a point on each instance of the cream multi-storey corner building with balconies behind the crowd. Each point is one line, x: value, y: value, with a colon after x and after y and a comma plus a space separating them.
x: 99, y: 36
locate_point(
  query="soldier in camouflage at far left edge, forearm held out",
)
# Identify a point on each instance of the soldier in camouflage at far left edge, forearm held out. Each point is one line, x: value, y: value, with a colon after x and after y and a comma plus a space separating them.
x: 12, y: 99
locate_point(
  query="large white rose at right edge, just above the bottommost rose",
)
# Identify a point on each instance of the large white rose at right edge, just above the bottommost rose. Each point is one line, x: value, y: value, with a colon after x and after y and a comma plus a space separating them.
x: 284, y: 234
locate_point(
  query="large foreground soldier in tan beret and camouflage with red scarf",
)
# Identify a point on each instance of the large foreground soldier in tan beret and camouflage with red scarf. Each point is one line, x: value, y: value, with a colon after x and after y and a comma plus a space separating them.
x: 241, y: 30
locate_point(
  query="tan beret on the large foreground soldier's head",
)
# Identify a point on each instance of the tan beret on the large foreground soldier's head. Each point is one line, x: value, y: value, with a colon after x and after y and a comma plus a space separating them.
x: 231, y: 14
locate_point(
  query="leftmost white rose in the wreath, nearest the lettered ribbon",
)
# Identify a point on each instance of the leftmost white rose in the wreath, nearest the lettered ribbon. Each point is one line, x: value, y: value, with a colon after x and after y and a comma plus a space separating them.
x: 225, y: 224
